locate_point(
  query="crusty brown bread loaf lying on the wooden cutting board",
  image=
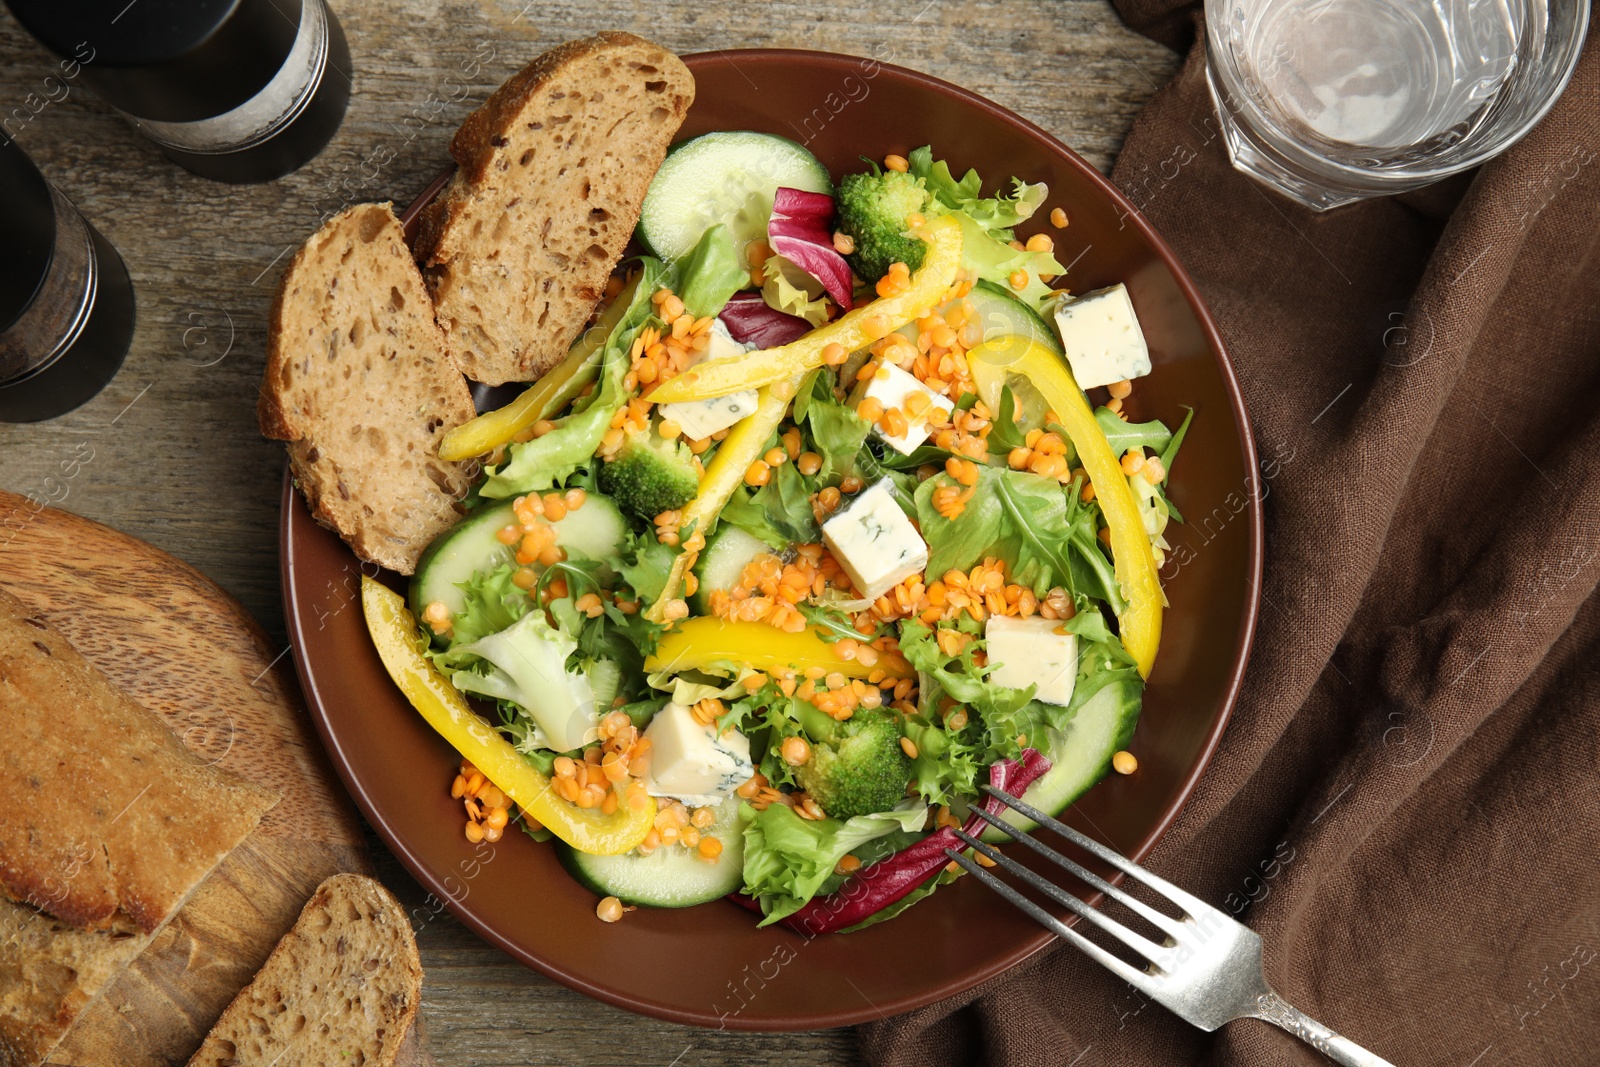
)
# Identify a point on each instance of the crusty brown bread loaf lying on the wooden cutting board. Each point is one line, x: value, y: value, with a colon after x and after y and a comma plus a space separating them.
x: 108, y: 825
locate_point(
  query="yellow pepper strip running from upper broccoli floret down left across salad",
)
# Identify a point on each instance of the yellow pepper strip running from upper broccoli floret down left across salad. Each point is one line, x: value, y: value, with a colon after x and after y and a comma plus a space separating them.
x: 854, y: 330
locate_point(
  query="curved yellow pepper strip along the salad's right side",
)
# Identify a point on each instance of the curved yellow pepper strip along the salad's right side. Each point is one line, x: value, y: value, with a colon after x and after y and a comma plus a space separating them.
x: 1130, y: 545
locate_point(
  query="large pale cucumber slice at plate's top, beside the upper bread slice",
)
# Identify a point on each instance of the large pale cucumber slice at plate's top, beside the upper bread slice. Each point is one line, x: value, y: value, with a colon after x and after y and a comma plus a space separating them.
x: 724, y: 178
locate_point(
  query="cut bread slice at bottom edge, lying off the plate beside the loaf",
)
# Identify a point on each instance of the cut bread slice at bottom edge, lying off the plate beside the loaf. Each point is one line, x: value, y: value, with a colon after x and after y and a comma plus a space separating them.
x: 342, y: 988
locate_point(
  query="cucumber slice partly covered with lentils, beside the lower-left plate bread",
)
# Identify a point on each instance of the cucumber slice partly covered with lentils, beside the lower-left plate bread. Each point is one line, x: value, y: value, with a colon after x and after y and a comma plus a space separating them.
x: 471, y: 546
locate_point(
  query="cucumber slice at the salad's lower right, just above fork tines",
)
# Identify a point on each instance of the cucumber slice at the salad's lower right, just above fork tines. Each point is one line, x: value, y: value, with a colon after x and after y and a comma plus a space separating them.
x: 1081, y: 756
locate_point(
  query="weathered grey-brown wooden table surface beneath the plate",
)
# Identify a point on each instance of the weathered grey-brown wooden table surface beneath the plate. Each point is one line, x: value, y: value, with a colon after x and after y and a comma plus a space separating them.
x: 170, y: 452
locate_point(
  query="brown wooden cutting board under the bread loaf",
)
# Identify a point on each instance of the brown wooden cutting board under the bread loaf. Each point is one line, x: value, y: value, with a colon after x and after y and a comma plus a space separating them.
x: 180, y: 645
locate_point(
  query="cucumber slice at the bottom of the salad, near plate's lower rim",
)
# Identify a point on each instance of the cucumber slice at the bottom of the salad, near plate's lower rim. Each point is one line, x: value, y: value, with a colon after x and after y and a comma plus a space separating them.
x: 671, y: 876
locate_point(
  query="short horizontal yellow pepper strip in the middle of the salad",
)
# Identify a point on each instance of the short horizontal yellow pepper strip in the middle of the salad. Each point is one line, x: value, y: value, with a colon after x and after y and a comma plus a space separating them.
x: 708, y: 642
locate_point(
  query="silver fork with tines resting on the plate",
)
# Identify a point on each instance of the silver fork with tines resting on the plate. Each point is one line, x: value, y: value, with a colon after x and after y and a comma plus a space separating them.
x: 1209, y: 970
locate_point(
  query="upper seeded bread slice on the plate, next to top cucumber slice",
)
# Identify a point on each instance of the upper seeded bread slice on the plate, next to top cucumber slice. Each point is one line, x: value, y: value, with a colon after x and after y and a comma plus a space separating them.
x: 553, y: 172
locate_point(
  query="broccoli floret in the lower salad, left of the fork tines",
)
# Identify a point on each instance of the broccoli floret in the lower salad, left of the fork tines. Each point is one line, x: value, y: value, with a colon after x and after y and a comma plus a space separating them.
x: 860, y: 769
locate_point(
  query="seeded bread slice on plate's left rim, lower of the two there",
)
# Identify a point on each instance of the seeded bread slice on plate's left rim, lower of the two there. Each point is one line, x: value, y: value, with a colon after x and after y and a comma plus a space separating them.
x: 361, y: 388
